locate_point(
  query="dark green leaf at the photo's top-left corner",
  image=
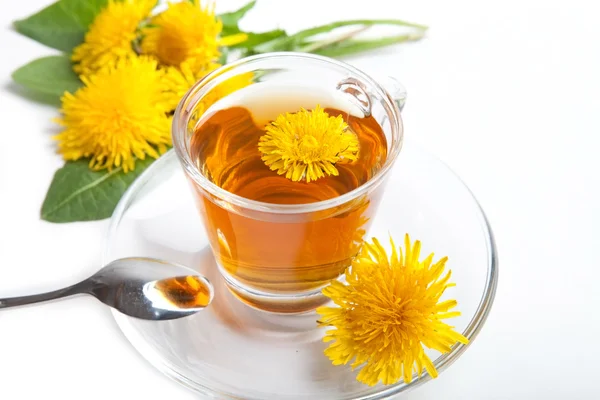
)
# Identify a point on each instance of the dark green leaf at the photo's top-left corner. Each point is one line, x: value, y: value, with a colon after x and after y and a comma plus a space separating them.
x: 61, y: 25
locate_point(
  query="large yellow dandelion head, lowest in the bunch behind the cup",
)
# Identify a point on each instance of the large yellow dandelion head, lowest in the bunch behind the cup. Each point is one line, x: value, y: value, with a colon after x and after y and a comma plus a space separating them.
x: 119, y: 115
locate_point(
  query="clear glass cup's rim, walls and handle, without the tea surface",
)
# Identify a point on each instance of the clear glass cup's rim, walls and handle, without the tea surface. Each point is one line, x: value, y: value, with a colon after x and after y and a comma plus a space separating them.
x: 278, y: 257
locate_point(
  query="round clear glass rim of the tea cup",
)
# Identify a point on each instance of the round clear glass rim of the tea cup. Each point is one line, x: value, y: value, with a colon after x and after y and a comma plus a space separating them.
x: 180, y: 120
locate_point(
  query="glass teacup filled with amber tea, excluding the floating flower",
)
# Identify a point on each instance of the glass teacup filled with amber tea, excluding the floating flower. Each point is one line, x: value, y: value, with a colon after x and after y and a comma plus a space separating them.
x: 278, y: 246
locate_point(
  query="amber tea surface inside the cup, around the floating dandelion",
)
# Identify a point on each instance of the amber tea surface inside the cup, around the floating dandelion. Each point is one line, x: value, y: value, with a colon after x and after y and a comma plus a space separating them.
x: 225, y: 148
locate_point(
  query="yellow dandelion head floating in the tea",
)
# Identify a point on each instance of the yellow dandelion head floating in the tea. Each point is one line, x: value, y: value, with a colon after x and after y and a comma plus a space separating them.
x: 307, y: 144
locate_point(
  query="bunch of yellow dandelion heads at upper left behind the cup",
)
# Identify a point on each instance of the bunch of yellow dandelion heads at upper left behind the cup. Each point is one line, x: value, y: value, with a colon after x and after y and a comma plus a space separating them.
x: 135, y: 67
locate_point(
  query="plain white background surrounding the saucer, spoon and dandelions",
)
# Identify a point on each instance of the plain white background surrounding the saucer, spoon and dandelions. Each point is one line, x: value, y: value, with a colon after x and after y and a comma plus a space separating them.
x: 506, y: 92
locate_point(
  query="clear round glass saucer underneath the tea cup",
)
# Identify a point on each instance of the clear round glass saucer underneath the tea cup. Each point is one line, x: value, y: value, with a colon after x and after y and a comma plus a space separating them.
x: 232, y: 351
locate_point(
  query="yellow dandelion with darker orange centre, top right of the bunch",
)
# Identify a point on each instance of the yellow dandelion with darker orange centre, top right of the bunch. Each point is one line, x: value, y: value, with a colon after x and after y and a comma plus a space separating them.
x: 186, y: 32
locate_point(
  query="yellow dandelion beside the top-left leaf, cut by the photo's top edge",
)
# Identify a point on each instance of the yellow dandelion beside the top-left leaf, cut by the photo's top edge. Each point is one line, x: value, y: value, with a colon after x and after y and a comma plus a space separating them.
x: 110, y: 37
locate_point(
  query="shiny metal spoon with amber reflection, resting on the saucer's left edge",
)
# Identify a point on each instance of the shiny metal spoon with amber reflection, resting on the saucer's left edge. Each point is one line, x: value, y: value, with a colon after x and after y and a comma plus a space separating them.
x: 144, y: 288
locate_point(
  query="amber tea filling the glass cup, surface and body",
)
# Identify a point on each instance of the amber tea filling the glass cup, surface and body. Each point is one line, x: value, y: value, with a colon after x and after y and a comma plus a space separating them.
x: 293, y: 254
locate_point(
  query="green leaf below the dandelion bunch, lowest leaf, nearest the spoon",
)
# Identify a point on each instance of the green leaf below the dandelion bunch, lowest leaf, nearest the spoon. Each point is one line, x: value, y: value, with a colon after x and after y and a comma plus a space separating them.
x: 79, y: 194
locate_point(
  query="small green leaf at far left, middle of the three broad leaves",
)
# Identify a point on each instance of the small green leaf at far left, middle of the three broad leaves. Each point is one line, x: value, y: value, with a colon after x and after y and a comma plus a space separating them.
x: 51, y: 75
